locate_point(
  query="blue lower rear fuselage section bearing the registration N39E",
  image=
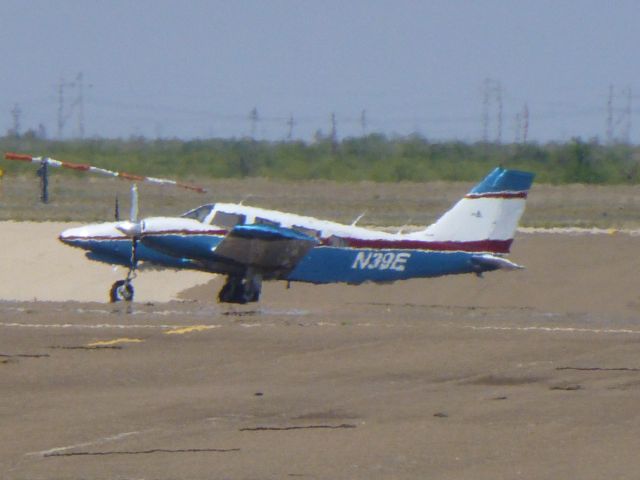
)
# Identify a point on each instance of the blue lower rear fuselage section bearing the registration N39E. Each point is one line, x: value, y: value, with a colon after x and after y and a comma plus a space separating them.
x: 335, y: 264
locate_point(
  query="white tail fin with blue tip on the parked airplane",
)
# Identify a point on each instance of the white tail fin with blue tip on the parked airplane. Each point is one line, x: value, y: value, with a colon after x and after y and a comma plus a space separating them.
x: 485, y: 220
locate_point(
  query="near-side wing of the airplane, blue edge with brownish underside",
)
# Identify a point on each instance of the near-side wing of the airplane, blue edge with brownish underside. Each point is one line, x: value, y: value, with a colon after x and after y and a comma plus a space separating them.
x: 265, y: 247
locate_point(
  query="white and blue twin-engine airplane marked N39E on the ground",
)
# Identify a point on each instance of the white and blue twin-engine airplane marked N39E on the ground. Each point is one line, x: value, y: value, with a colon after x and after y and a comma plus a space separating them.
x: 249, y: 244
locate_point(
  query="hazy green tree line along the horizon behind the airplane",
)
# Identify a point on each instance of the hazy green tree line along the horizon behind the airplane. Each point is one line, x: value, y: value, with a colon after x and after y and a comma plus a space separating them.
x: 373, y: 157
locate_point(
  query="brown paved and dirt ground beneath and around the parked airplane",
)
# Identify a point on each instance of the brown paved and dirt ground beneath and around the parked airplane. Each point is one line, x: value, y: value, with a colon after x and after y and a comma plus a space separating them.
x: 528, y: 374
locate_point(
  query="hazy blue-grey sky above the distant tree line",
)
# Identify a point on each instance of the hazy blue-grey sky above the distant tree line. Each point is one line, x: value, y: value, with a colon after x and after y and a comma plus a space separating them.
x: 198, y: 68
